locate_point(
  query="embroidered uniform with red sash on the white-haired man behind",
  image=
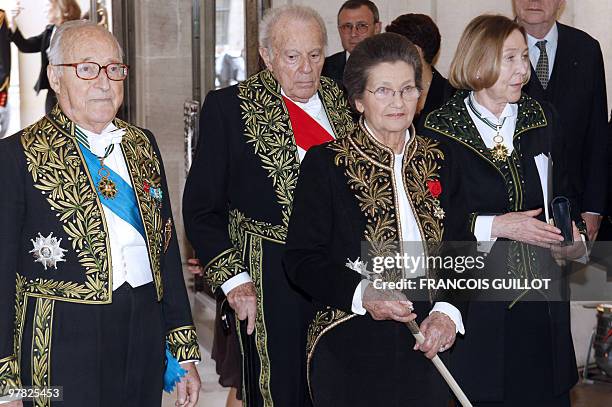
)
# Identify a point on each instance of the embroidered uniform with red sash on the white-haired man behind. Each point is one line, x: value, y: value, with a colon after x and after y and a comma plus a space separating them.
x: 237, y: 204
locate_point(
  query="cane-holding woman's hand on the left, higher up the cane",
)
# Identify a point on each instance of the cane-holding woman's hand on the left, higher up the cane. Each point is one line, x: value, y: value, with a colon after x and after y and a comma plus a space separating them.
x: 387, y: 304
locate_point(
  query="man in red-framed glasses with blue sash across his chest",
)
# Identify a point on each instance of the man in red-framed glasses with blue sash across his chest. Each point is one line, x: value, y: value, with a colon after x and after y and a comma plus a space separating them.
x: 92, y: 296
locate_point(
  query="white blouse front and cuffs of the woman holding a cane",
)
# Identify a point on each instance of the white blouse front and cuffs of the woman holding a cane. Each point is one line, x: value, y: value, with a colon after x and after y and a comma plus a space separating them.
x: 411, y: 236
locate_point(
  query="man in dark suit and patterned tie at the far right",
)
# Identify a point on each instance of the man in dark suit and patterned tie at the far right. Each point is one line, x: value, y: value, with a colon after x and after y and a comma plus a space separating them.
x: 568, y: 72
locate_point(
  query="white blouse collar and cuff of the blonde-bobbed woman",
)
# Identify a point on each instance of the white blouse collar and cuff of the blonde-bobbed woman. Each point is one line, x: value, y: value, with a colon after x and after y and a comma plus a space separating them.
x: 484, y: 224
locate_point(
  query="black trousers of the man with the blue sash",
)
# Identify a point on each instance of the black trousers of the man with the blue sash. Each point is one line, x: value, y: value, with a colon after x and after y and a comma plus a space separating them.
x: 101, y: 355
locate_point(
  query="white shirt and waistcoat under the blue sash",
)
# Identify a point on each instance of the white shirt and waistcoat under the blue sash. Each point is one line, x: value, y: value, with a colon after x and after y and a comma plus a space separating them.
x: 129, y: 255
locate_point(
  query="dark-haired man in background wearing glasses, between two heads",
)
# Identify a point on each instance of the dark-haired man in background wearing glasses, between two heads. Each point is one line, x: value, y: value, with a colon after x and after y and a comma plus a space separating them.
x: 357, y: 20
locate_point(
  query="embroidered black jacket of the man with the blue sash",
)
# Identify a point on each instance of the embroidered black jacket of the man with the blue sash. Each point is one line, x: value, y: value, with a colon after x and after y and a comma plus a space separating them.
x: 47, y: 190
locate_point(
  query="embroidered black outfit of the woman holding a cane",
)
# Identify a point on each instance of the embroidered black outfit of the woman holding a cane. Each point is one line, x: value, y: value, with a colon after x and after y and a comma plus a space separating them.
x: 346, y: 195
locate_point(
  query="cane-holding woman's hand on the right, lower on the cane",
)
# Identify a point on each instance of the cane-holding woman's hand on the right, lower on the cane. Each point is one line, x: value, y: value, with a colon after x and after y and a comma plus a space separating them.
x: 439, y: 332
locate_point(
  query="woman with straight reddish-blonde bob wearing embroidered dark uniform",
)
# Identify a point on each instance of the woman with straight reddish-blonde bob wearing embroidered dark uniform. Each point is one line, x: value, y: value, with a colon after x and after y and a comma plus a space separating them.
x: 518, y: 352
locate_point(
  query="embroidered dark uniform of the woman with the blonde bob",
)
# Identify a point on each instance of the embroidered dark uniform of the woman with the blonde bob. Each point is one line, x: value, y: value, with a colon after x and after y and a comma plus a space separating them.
x: 524, y: 350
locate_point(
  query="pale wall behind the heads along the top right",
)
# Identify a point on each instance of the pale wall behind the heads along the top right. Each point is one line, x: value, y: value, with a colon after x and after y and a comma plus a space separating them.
x: 592, y: 16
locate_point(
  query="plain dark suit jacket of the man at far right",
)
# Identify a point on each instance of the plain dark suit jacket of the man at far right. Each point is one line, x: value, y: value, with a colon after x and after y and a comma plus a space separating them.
x: 577, y: 90
